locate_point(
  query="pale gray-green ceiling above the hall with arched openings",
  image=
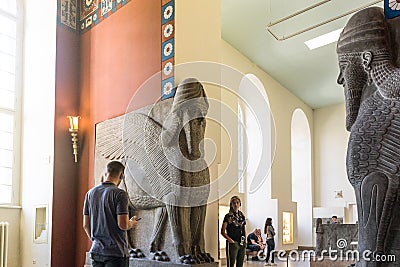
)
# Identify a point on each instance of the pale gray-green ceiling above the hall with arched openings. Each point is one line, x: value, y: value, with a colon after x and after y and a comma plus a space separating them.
x: 309, y: 74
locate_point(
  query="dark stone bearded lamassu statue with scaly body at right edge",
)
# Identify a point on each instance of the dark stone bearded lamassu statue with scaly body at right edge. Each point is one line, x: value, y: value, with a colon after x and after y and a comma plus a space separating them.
x: 371, y: 84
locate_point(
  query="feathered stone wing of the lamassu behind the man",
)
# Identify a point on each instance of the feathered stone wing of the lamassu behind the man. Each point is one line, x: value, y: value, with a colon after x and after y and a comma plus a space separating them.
x: 136, y: 137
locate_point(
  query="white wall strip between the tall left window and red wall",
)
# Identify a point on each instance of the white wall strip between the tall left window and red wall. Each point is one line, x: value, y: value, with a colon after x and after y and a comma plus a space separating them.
x: 38, y: 124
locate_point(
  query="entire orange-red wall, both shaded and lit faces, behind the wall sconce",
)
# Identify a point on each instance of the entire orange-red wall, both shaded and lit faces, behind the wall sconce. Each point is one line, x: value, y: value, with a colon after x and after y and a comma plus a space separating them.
x: 97, y: 73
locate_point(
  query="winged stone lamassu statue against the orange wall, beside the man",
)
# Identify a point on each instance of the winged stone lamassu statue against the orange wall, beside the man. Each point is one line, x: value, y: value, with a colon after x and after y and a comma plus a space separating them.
x: 163, y: 149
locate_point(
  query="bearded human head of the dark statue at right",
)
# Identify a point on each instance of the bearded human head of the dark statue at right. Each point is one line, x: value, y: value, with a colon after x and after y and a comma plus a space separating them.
x: 364, y: 38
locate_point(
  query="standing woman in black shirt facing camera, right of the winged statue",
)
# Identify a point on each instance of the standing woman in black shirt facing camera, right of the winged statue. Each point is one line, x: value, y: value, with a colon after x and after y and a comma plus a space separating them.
x: 234, y: 231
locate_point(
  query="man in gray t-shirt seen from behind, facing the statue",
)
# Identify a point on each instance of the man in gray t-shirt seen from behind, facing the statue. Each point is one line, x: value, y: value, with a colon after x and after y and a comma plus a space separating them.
x: 106, y: 220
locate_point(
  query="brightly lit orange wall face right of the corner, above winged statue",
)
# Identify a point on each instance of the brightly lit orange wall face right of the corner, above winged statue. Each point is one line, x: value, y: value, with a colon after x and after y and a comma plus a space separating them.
x: 117, y: 57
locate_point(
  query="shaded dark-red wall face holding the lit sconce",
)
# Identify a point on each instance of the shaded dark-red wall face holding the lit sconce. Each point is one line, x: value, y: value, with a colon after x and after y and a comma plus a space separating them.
x: 65, y: 169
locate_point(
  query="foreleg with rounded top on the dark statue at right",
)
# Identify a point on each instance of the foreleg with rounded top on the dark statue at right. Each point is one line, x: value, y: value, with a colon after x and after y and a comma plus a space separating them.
x: 370, y: 197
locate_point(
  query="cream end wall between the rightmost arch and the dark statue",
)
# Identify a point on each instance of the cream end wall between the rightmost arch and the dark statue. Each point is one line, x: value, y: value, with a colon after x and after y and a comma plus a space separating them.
x: 330, y: 146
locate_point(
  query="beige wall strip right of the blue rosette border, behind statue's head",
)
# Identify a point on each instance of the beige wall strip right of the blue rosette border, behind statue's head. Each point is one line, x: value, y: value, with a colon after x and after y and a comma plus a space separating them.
x: 192, y: 31
